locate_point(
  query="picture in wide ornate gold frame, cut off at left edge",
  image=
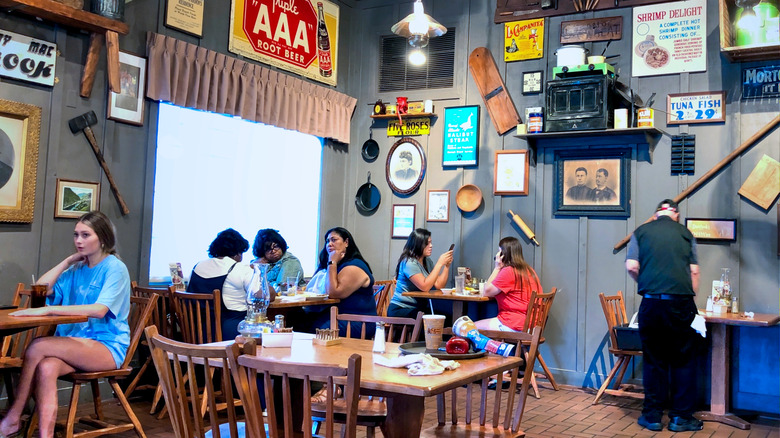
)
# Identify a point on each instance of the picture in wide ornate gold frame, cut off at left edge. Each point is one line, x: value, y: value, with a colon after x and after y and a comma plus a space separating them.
x: 20, y: 129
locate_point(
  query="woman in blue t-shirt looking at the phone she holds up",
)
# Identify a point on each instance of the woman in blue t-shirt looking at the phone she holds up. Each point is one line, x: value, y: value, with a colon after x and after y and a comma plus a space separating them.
x: 416, y: 272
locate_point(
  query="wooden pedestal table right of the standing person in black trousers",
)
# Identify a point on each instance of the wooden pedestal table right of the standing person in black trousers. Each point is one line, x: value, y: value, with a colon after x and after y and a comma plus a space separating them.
x: 720, y: 331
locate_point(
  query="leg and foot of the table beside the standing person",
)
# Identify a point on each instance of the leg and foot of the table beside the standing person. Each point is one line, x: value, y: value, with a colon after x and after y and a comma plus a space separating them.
x: 720, y: 380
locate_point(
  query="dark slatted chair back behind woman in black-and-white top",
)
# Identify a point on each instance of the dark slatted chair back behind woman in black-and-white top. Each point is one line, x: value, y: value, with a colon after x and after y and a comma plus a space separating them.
x: 199, y: 316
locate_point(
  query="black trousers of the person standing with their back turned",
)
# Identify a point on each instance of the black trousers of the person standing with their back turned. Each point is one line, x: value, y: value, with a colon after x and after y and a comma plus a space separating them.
x: 670, y: 352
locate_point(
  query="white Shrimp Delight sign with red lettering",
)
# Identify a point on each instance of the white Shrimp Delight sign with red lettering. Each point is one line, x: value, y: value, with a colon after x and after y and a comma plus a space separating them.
x: 669, y: 38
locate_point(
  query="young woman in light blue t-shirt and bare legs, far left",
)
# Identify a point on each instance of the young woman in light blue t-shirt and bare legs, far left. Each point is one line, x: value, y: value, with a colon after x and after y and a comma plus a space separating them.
x: 92, y: 282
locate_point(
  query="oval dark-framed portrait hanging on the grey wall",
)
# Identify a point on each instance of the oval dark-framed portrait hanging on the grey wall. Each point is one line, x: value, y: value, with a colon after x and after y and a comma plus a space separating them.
x: 405, y: 167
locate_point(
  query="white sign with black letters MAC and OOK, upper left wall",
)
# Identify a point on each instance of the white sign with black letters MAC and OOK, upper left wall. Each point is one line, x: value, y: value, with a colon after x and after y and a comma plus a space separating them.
x: 27, y: 59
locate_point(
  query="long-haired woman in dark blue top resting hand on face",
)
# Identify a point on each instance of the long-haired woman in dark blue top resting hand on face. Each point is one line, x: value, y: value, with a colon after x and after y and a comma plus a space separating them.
x: 348, y: 278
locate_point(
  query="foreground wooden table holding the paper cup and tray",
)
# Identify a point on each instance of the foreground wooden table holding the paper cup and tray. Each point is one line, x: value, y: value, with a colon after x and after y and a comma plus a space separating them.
x: 405, y: 394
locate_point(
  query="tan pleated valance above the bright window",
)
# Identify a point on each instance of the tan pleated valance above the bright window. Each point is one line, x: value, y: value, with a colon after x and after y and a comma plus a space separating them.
x: 191, y: 76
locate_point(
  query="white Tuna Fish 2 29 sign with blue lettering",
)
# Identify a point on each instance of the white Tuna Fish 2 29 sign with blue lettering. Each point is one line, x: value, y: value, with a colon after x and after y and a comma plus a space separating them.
x: 708, y: 107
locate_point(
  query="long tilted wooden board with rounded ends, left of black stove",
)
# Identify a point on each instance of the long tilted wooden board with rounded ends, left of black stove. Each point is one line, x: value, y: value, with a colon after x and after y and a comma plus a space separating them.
x: 500, y: 106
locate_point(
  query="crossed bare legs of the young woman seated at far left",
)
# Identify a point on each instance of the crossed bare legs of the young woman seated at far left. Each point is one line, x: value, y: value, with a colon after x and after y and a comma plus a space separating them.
x: 45, y: 360
